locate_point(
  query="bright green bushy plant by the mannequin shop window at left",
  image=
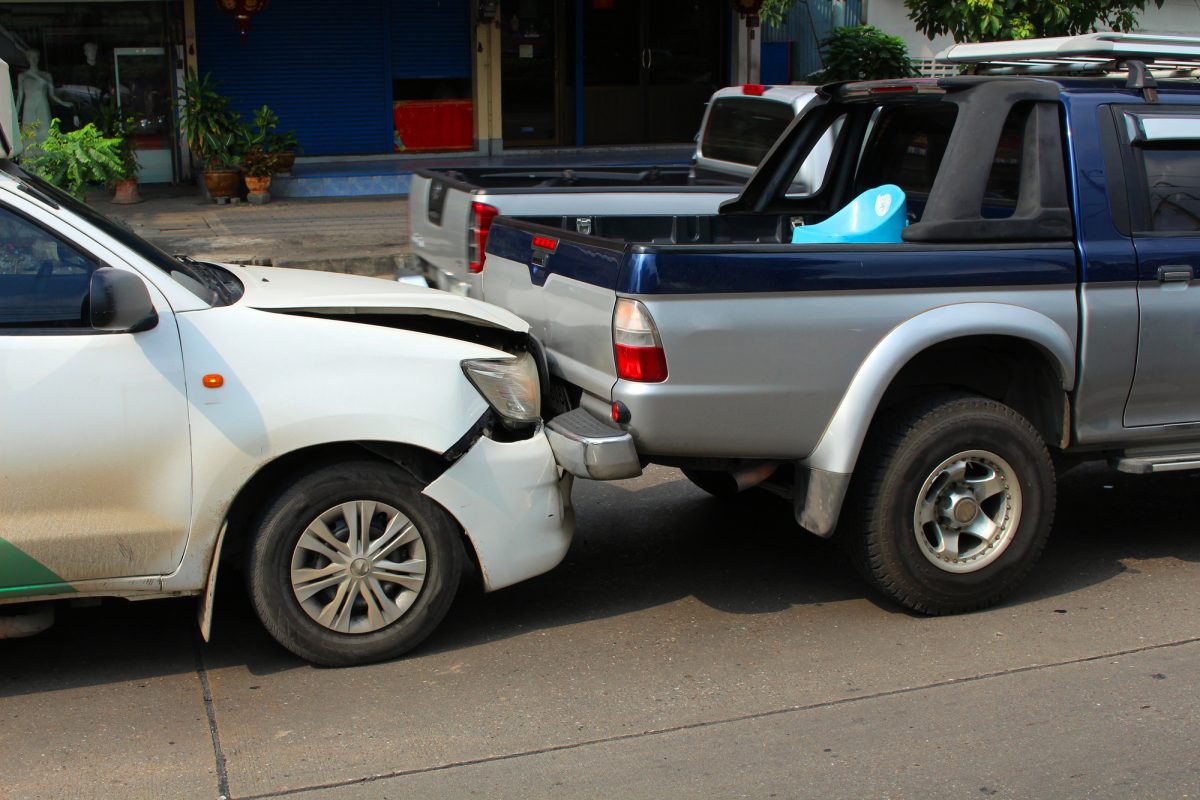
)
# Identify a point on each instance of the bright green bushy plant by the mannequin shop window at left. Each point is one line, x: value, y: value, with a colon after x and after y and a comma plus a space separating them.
x: 76, y: 160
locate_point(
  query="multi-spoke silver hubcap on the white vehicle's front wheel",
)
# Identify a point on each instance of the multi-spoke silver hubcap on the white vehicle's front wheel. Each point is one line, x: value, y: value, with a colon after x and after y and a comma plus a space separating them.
x: 358, y: 567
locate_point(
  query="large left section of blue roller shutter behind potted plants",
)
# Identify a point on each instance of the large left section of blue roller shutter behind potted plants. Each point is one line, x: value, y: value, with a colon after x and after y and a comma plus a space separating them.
x: 322, y: 68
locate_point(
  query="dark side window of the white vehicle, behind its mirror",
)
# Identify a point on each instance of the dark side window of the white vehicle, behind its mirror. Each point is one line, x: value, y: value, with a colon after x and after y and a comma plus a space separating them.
x: 44, y: 281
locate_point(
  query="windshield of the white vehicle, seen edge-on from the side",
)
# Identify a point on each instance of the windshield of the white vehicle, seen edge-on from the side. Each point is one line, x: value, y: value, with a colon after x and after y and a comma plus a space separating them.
x: 208, y: 282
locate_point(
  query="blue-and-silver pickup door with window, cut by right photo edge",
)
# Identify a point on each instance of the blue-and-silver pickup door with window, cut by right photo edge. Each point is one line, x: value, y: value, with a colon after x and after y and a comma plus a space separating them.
x: 1165, y: 179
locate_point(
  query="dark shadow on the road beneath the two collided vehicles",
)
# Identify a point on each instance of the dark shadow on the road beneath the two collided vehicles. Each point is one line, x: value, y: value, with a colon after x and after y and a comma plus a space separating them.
x: 638, y: 548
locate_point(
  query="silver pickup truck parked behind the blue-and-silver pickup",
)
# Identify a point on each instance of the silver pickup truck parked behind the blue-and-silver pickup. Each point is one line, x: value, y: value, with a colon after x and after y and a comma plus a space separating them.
x: 451, y: 210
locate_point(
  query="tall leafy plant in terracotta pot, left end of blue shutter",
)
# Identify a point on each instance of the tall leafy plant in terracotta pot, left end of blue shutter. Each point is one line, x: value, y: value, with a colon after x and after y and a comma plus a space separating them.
x: 214, y: 133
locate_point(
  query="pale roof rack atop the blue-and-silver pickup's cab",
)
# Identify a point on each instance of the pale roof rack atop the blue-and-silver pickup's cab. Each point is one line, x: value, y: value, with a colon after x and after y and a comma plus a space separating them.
x: 1143, y: 57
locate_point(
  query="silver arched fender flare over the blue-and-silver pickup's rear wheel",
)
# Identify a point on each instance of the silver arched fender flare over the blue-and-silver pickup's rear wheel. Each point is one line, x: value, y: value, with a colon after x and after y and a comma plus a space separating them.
x: 839, y: 446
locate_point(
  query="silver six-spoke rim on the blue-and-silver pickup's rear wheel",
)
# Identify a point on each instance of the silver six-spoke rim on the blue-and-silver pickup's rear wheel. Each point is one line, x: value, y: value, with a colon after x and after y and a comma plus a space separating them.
x: 968, y: 512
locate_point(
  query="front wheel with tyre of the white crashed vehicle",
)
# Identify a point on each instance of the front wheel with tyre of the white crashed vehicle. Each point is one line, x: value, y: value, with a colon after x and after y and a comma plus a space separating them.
x: 352, y: 564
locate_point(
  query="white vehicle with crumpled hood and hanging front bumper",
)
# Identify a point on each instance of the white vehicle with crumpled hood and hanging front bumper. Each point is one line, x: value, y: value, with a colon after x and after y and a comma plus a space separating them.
x: 352, y: 441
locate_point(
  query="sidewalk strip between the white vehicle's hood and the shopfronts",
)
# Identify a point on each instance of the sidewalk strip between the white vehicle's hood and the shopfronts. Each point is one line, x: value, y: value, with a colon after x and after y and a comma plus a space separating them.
x: 365, y: 236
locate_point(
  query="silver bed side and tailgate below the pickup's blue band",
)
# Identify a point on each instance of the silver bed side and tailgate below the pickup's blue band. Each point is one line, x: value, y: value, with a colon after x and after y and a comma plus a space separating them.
x: 754, y: 399
